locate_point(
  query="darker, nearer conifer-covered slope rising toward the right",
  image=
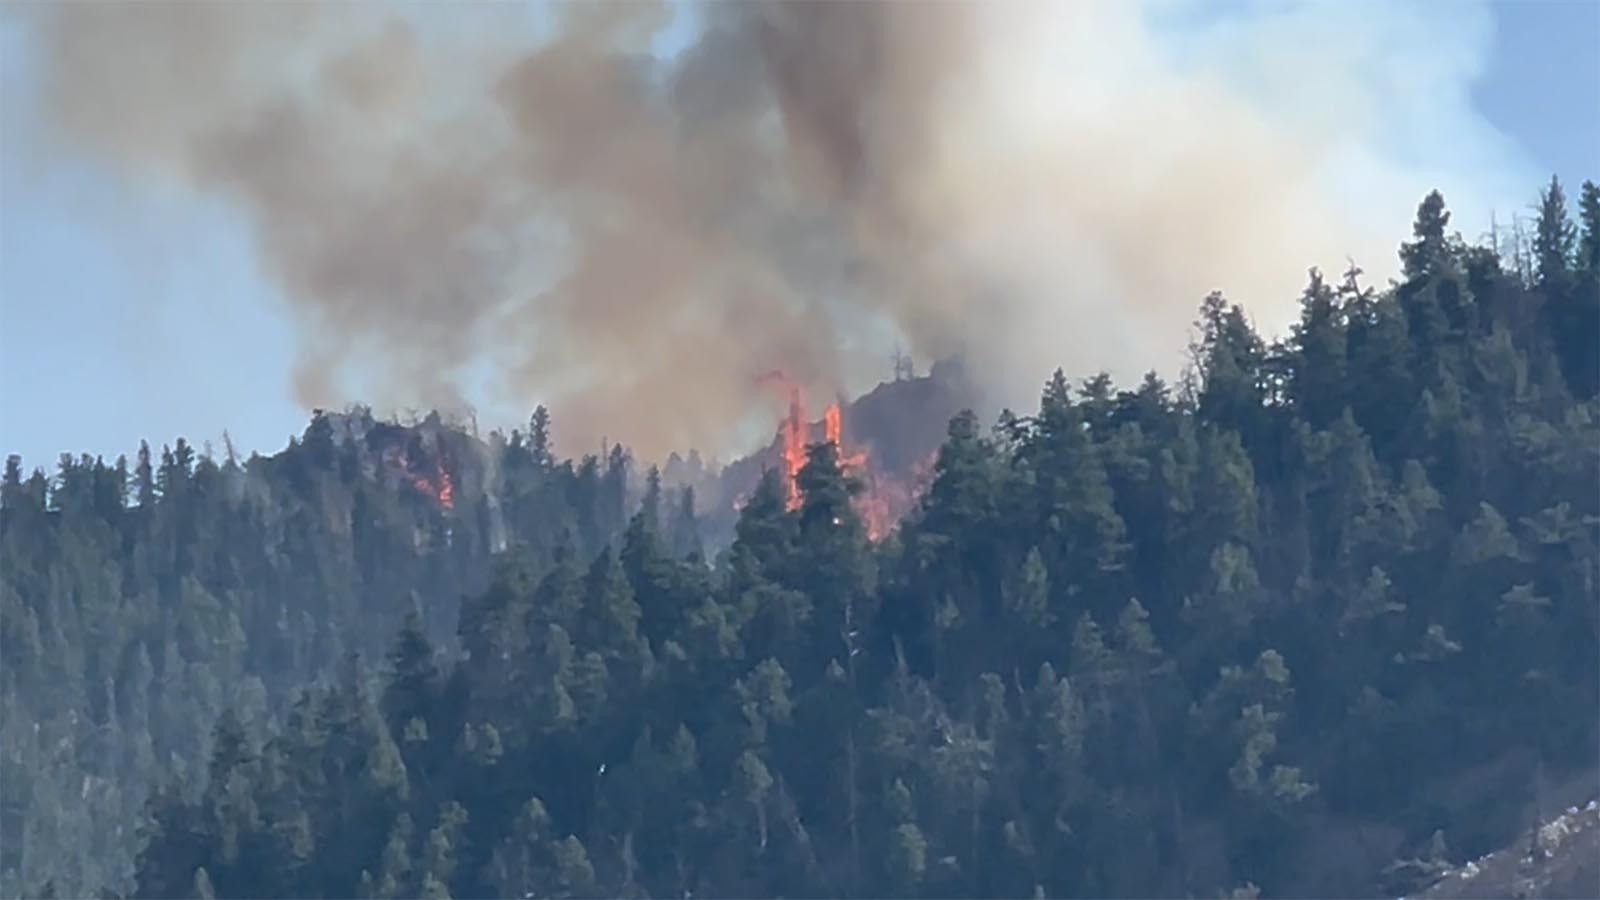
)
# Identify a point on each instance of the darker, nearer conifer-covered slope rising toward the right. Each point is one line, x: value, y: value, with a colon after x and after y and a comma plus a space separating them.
x: 1330, y: 608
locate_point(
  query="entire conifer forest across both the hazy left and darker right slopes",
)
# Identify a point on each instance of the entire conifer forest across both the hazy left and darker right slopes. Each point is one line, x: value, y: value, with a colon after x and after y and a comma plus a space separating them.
x: 1314, y: 622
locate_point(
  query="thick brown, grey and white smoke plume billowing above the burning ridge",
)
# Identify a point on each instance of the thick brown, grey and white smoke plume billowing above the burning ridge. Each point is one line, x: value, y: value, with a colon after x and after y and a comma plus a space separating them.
x: 633, y: 235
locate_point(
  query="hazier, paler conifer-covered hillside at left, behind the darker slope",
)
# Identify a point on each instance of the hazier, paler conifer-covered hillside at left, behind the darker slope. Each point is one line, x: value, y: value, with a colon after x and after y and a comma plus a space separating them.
x: 143, y: 600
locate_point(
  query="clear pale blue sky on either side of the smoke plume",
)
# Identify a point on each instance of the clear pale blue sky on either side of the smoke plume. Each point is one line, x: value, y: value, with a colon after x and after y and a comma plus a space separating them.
x: 137, y: 315
